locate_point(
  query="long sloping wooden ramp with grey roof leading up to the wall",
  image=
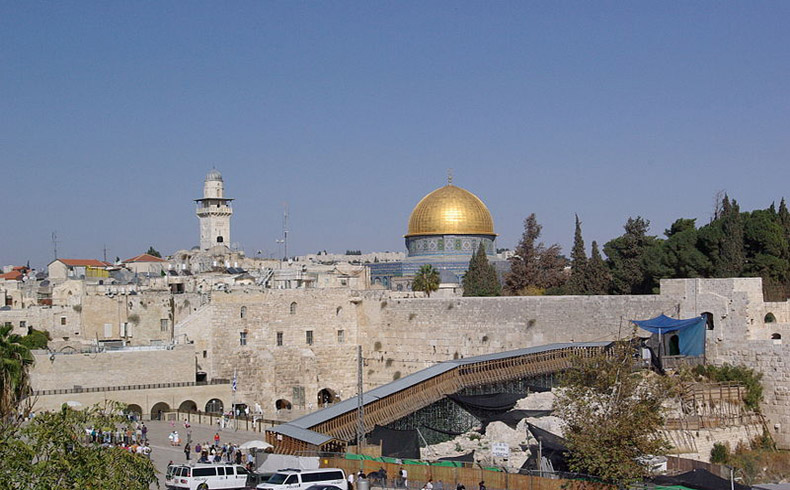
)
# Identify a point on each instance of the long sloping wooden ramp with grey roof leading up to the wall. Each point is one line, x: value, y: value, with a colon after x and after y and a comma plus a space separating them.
x: 331, y: 429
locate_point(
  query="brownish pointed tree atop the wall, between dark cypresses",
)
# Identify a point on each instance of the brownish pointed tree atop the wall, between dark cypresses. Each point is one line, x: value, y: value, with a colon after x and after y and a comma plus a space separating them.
x: 534, y: 268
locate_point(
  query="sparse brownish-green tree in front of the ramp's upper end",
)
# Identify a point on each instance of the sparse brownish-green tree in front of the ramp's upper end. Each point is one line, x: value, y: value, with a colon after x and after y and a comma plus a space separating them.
x: 612, y: 415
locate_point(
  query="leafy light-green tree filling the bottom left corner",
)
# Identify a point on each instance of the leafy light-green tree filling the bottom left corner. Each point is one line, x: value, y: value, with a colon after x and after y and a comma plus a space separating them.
x: 51, y: 451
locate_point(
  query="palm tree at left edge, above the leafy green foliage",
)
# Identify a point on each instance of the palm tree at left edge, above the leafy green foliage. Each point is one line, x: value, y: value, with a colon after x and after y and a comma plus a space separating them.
x: 15, y: 359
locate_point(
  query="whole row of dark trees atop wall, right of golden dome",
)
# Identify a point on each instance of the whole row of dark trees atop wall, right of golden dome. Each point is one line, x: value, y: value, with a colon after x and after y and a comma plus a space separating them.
x: 734, y: 244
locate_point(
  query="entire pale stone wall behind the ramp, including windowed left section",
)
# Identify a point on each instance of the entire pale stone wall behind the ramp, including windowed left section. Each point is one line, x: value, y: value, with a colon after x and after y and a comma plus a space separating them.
x: 401, y: 333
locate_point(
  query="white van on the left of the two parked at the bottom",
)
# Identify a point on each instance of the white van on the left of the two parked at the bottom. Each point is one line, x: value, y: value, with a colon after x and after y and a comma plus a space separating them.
x: 205, y: 476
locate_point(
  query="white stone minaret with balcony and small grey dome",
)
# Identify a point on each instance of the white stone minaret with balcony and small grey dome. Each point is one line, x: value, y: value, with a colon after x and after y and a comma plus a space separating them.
x: 214, y: 212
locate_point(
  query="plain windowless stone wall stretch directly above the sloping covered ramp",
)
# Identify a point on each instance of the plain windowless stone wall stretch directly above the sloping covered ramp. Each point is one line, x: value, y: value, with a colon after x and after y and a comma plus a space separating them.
x: 404, y: 335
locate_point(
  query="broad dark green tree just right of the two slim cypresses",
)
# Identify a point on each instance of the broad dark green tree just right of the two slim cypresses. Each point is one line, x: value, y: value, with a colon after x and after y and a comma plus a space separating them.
x: 629, y: 256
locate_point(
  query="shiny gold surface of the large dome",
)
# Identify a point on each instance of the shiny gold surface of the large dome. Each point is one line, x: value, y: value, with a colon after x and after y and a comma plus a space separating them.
x: 450, y: 210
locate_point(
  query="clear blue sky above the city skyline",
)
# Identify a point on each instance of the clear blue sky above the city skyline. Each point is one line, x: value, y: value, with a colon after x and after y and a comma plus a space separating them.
x: 111, y: 113
